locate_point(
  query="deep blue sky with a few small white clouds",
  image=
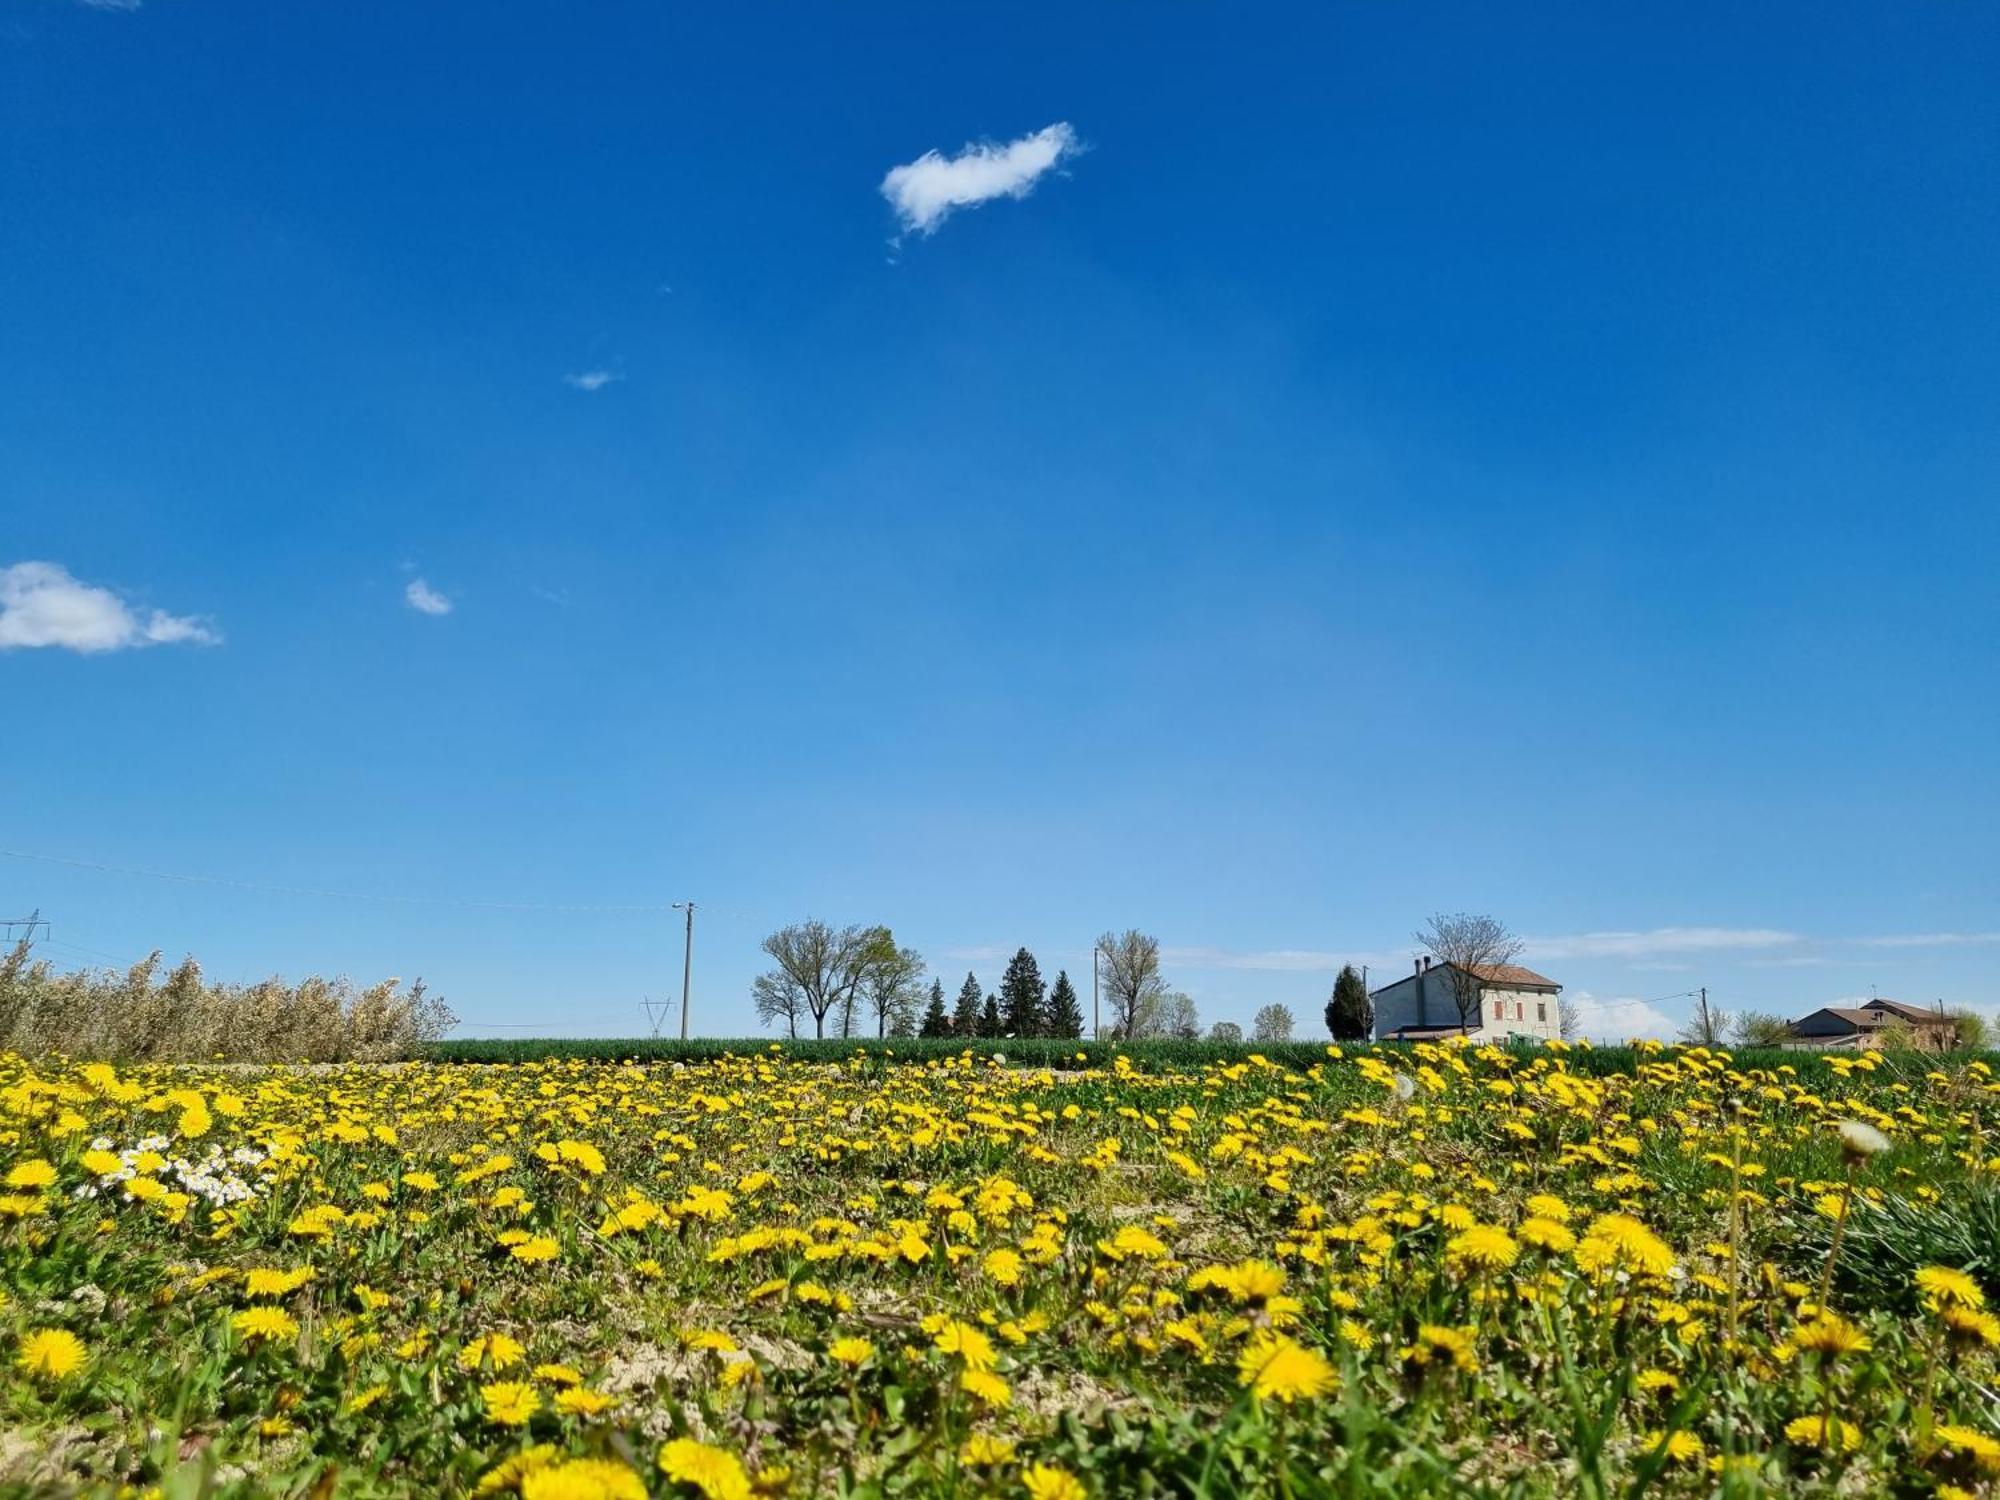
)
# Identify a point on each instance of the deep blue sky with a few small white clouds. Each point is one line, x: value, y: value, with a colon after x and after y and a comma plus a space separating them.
x: 1353, y: 463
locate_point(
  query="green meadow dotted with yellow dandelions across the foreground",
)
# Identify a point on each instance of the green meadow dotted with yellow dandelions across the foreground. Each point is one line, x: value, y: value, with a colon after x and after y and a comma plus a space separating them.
x: 1435, y: 1271
